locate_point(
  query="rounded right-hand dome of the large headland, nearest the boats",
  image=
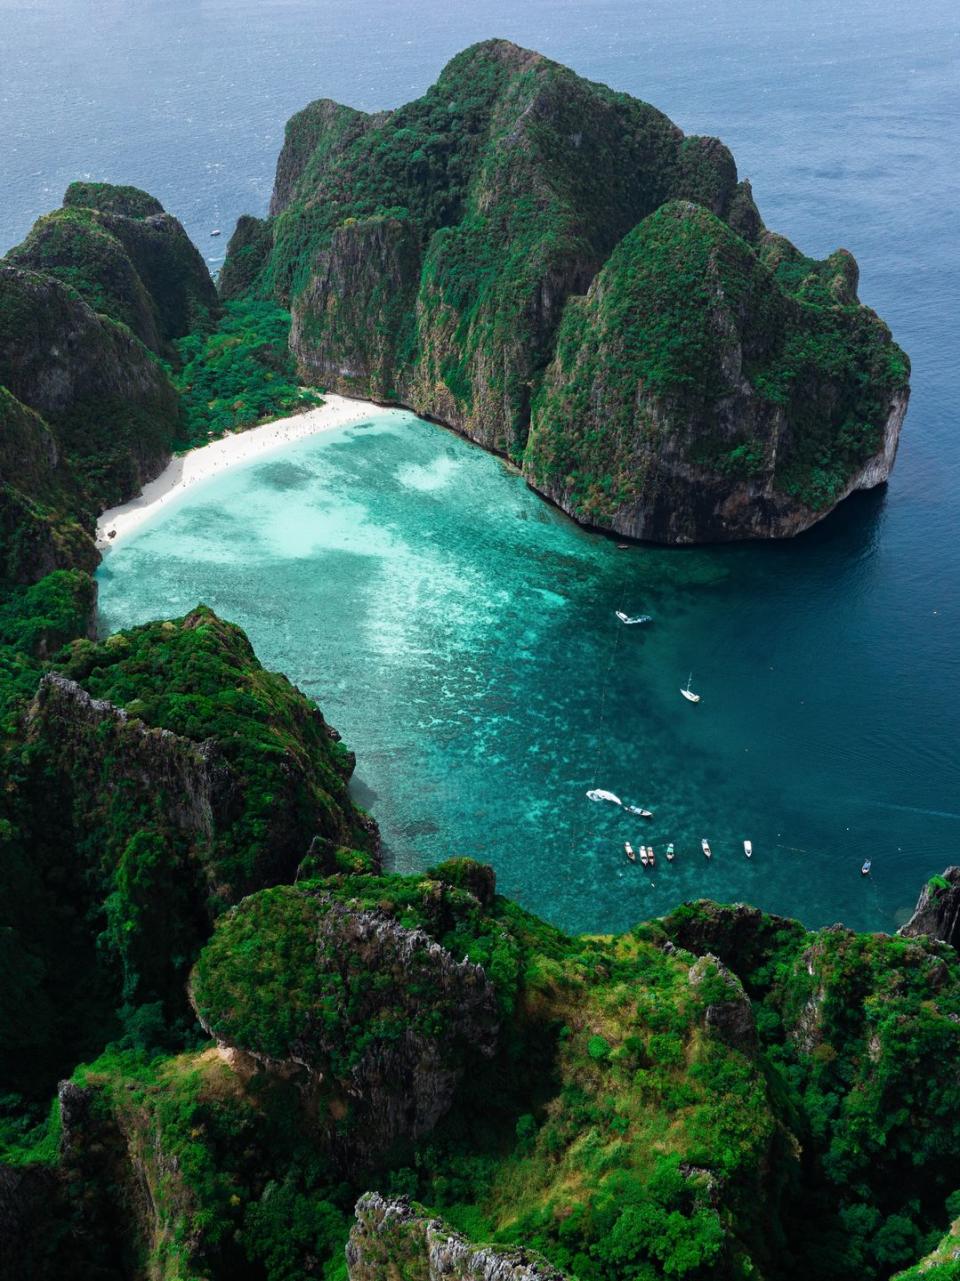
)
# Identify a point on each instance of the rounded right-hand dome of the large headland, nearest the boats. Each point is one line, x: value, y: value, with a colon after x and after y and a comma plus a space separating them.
x: 689, y: 390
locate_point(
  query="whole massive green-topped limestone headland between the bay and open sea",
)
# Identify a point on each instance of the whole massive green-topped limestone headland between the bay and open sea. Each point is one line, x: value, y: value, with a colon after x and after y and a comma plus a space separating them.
x: 556, y: 271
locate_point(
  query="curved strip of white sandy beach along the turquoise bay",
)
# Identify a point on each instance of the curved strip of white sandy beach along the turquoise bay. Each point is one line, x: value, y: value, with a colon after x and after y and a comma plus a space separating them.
x: 219, y: 455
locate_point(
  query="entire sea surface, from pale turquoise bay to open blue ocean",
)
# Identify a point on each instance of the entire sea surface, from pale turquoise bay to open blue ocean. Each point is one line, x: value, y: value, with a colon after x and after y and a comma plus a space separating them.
x: 457, y: 630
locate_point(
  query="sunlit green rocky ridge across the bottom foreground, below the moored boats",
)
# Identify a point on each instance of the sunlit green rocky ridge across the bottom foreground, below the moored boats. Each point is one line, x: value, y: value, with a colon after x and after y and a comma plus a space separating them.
x: 684, y: 1101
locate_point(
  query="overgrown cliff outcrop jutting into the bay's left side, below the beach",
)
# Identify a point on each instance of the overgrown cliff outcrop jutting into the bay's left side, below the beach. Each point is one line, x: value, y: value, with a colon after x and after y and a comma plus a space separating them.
x: 174, y: 776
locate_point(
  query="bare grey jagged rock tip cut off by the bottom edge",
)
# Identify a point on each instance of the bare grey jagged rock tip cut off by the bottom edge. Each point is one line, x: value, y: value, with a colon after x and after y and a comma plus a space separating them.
x: 394, y: 1238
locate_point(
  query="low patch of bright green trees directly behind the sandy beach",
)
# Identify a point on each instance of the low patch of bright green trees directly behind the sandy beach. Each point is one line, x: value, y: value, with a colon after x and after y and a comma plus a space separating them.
x: 240, y: 375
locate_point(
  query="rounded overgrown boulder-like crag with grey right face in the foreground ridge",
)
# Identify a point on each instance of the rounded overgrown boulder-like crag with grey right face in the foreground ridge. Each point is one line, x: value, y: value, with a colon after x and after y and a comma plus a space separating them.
x: 371, y: 1015
